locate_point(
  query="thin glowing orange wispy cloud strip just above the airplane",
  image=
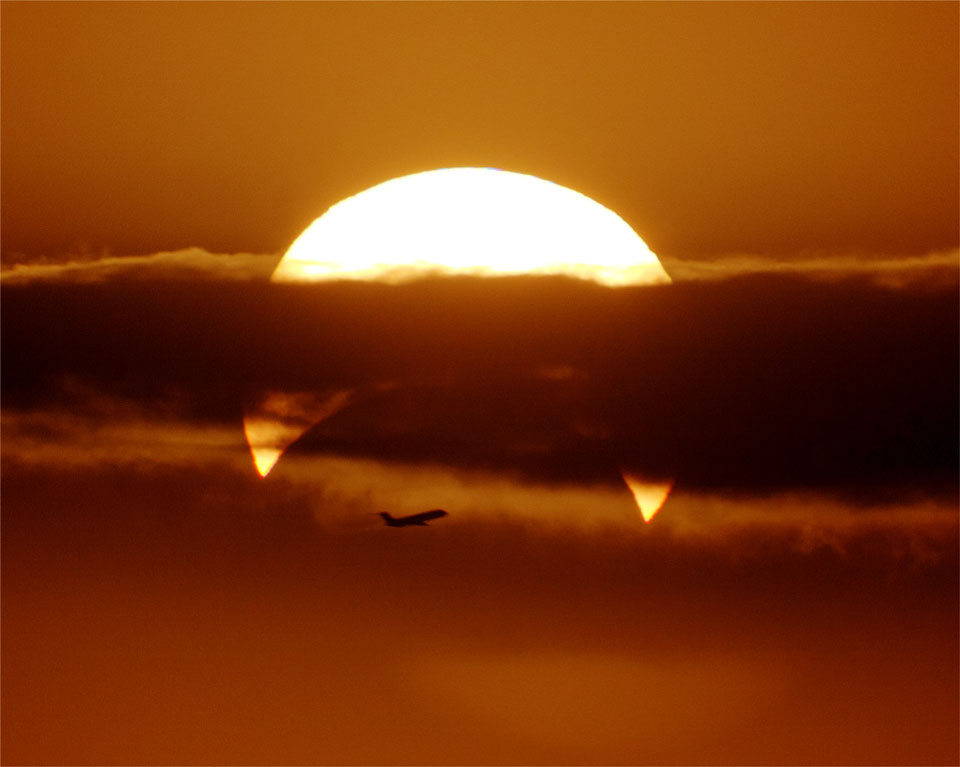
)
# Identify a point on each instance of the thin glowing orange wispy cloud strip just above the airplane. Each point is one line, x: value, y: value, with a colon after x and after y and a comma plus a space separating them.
x: 101, y: 436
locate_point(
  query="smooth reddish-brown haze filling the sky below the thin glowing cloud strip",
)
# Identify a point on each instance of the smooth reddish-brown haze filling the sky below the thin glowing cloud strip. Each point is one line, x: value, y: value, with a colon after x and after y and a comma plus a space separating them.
x: 190, y: 614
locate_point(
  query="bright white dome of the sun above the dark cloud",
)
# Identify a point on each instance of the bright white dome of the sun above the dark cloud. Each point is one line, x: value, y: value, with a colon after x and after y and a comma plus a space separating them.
x: 469, y: 221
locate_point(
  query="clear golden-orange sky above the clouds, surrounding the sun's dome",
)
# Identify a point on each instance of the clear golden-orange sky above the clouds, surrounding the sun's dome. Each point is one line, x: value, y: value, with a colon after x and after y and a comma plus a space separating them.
x: 711, y: 128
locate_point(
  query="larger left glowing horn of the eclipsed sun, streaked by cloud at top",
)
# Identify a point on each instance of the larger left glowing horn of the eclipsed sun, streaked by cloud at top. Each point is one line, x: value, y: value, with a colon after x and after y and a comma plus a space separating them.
x: 281, y: 418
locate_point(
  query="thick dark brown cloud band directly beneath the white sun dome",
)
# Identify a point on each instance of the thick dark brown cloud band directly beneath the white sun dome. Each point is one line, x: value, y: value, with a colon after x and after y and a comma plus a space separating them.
x: 752, y: 385
